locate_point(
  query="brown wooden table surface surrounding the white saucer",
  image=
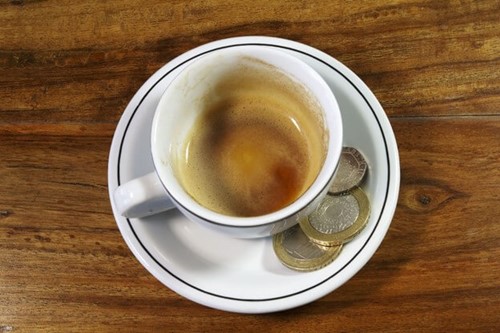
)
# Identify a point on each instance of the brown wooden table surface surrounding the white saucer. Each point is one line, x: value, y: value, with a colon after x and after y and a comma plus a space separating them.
x: 68, y: 70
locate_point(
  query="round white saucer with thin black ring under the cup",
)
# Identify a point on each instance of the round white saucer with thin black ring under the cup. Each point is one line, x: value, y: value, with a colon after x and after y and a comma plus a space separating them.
x: 244, y: 275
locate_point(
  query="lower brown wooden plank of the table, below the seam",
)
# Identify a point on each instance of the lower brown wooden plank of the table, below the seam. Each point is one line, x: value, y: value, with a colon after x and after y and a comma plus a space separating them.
x: 64, y: 263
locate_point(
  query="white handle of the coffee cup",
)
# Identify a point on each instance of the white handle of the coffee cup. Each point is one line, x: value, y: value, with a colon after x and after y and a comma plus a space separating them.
x: 141, y: 197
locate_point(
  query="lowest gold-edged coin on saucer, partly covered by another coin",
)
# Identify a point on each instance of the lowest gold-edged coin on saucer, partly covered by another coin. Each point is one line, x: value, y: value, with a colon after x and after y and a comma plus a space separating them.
x: 296, y: 251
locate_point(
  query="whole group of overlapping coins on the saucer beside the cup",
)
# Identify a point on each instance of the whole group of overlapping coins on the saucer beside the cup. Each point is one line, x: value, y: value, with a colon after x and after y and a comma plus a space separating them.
x: 317, y: 240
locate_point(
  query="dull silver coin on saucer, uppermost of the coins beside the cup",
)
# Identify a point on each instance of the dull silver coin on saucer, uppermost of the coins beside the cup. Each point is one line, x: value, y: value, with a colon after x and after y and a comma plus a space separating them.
x: 351, y: 171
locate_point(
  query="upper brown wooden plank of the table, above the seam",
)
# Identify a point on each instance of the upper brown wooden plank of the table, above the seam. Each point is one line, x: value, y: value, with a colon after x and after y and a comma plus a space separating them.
x: 420, y: 59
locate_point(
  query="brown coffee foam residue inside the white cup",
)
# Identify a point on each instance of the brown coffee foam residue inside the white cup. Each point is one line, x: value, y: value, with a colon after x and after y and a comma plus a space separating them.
x: 257, y: 145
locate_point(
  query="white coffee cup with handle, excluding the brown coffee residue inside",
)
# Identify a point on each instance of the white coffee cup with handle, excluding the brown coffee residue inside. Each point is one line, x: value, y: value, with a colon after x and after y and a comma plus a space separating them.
x: 174, y: 117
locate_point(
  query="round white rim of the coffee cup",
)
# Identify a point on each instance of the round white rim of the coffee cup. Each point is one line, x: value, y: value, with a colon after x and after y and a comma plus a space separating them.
x: 333, y: 122
